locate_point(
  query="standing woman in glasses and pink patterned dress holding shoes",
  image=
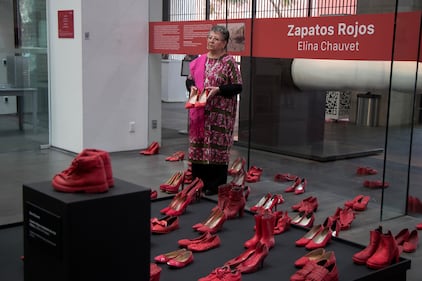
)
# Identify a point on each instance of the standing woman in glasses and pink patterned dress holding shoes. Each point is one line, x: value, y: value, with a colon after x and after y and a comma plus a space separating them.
x: 211, y: 127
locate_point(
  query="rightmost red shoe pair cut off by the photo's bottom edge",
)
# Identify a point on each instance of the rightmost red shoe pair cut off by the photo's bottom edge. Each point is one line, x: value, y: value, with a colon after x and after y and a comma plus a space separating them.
x: 321, y: 268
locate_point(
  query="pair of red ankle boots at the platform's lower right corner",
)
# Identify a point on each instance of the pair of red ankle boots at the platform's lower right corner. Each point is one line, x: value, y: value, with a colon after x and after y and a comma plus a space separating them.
x: 381, y: 251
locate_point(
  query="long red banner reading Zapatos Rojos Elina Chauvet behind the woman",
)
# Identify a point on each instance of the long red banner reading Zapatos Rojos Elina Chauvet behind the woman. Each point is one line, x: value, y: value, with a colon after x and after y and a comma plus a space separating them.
x: 352, y: 37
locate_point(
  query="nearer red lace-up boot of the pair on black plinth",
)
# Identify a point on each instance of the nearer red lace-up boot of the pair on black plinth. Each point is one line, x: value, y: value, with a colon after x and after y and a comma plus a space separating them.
x: 86, y: 174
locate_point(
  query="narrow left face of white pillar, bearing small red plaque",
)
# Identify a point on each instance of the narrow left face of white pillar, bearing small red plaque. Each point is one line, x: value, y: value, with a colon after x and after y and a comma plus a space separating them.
x: 65, y: 80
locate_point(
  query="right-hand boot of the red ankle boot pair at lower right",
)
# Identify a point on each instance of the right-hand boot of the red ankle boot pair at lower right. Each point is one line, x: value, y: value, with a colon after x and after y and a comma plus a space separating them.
x: 386, y: 253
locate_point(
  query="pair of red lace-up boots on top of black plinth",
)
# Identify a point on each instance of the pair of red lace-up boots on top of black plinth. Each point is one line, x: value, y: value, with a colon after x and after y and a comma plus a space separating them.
x: 89, y: 172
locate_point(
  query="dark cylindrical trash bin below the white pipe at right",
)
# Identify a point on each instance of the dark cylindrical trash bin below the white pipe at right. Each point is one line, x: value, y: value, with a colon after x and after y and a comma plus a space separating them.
x: 367, y: 110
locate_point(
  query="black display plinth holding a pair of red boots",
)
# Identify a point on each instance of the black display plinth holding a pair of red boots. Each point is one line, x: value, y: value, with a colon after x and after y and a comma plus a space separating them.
x: 78, y: 236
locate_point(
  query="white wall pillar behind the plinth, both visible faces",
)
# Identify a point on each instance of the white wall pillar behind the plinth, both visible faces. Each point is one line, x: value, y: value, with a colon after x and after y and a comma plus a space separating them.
x: 100, y: 84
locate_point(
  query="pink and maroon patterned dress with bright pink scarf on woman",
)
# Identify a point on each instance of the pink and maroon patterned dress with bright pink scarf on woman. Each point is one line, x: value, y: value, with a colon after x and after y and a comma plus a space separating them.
x: 211, y: 127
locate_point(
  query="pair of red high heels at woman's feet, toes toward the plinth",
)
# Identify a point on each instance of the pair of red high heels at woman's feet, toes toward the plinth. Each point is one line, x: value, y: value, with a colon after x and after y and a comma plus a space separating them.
x: 183, y: 198
